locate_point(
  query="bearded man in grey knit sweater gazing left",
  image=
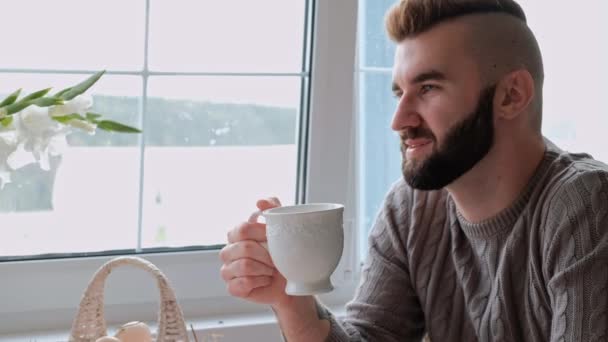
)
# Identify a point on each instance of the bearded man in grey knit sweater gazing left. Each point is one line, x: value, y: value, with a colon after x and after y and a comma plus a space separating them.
x: 494, y: 233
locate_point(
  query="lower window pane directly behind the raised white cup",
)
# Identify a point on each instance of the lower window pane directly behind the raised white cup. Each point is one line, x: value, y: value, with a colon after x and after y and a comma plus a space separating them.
x: 212, y: 149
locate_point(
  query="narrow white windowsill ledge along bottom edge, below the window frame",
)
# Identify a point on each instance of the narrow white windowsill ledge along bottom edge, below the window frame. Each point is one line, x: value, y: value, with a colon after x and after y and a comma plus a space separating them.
x: 260, y: 326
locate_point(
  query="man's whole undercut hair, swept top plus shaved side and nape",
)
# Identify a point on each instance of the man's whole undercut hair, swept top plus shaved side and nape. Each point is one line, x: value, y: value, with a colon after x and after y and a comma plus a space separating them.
x: 499, y: 37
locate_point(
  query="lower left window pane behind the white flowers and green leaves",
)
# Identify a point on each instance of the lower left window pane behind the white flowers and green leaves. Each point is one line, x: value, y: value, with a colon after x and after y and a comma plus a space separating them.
x: 87, y: 201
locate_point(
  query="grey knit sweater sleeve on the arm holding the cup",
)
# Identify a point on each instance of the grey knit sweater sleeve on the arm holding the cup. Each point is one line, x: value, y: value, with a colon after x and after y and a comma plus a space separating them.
x: 385, y: 307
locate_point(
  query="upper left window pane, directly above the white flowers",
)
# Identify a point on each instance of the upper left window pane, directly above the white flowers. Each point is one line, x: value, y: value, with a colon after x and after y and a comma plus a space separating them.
x: 72, y: 34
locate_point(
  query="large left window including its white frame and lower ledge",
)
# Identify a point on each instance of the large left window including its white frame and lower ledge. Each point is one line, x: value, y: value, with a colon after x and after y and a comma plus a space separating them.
x: 234, y: 101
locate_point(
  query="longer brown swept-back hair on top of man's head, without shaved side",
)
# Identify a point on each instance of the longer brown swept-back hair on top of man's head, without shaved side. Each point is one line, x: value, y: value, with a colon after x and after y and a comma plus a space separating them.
x: 410, y: 17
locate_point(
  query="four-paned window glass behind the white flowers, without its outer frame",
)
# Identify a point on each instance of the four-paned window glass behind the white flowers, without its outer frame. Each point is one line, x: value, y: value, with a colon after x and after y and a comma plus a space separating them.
x: 213, y: 102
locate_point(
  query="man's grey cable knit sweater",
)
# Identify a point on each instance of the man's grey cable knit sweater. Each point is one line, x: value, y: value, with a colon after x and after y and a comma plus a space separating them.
x: 538, y: 271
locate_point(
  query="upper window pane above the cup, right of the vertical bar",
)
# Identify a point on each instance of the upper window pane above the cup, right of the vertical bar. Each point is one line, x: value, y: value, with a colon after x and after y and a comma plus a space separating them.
x: 227, y: 36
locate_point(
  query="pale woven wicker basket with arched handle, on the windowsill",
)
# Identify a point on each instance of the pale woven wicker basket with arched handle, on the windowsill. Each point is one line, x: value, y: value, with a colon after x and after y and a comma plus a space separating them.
x: 90, y: 324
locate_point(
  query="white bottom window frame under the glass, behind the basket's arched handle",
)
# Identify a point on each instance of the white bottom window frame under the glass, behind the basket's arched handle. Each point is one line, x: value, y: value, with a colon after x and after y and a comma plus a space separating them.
x: 202, y: 294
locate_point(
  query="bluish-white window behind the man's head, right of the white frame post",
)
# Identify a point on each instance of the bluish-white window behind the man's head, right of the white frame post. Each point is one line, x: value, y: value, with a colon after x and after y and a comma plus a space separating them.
x: 573, y: 114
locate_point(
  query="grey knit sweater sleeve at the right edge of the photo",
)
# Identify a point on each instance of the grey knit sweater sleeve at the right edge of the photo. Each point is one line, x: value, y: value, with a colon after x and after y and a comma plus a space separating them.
x: 576, y: 259
